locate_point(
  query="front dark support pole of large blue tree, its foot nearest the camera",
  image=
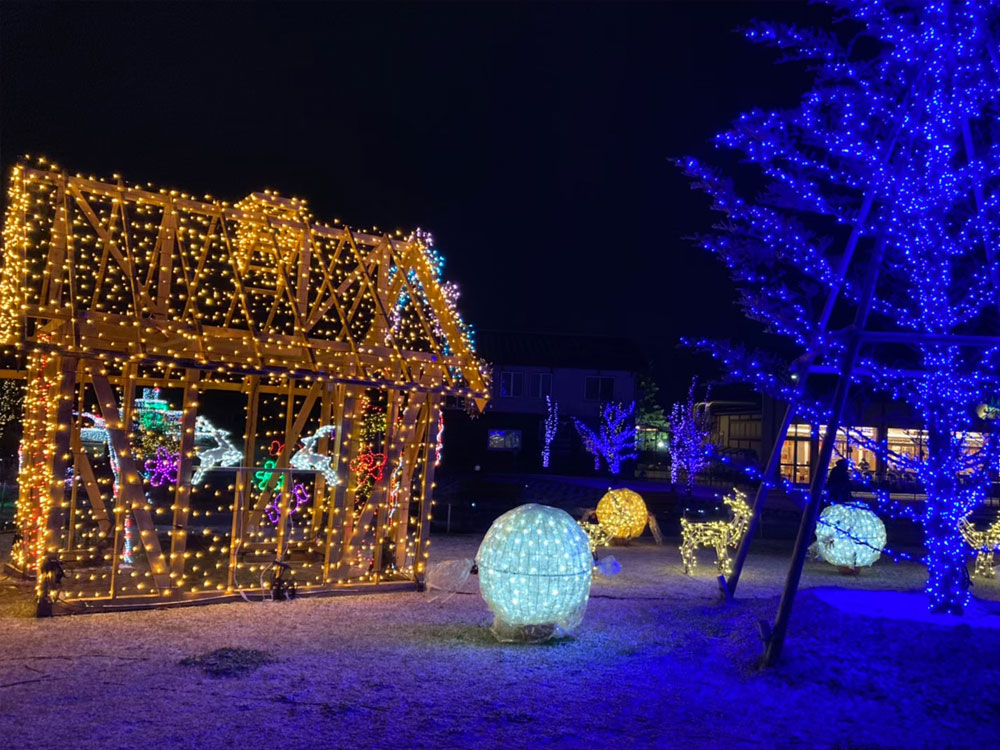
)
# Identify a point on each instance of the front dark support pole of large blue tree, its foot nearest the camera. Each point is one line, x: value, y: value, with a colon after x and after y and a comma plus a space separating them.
x: 775, y: 638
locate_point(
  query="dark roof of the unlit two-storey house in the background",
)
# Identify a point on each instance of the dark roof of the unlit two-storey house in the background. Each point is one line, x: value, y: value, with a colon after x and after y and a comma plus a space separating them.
x: 559, y: 350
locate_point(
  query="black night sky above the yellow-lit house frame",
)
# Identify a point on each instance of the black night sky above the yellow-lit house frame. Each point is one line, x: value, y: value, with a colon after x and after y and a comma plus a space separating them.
x: 534, y: 141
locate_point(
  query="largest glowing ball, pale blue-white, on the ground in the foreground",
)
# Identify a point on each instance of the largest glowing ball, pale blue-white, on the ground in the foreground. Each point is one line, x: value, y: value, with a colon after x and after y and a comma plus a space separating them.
x: 534, y: 573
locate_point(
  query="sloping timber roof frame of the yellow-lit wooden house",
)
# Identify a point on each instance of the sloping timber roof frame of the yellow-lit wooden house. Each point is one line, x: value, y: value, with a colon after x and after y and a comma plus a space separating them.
x: 182, y: 340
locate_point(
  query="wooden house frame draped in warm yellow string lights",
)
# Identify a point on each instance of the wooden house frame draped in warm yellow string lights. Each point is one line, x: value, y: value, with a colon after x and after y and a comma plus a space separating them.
x: 108, y: 289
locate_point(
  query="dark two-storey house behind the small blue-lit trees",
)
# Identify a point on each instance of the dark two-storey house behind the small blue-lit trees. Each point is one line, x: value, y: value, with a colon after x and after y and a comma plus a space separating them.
x: 579, y: 373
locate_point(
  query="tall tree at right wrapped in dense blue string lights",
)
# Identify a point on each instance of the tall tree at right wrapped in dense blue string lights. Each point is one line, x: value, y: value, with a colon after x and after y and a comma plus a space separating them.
x: 883, y: 184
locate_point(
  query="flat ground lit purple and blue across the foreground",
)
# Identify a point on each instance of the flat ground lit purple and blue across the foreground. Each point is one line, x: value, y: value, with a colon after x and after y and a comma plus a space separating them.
x: 658, y: 662
